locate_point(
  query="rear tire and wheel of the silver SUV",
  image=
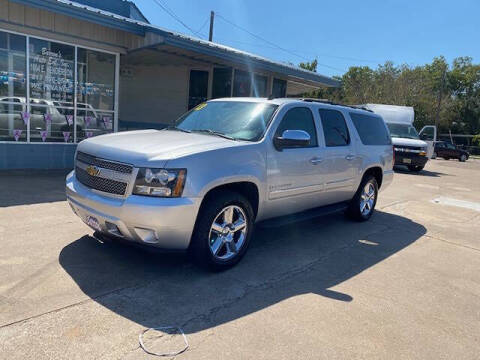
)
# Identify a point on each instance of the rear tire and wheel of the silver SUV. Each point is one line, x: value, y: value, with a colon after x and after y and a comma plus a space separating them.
x: 362, y: 206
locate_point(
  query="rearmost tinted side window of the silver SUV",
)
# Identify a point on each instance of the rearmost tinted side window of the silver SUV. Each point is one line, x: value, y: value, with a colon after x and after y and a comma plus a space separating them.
x: 371, y: 129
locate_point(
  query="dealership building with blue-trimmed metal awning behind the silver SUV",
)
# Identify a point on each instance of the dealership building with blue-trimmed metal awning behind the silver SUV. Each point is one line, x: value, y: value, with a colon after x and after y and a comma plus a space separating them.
x: 73, y: 70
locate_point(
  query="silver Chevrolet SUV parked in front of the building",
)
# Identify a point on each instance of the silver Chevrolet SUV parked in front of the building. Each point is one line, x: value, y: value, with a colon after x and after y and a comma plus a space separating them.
x: 202, y: 183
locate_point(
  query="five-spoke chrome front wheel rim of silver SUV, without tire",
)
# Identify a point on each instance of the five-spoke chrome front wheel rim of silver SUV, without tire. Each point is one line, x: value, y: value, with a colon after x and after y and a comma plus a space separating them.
x: 228, y: 232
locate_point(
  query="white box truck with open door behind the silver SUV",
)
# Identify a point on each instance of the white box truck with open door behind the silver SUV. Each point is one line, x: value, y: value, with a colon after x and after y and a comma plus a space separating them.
x: 412, y: 149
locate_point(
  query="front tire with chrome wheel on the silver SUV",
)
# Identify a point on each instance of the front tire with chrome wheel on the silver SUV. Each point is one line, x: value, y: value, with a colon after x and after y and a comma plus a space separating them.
x: 222, y: 232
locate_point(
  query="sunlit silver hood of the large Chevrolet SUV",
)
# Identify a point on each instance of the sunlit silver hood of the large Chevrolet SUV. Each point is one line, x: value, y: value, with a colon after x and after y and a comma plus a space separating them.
x: 142, y: 147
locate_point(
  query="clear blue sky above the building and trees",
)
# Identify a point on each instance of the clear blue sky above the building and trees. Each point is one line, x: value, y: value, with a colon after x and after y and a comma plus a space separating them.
x: 338, y: 33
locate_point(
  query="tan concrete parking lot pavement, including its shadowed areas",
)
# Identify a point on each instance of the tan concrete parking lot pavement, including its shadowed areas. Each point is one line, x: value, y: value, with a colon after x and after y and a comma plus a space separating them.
x: 404, y: 285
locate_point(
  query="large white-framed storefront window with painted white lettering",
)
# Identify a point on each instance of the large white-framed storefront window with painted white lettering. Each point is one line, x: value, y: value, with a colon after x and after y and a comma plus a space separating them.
x: 64, y: 99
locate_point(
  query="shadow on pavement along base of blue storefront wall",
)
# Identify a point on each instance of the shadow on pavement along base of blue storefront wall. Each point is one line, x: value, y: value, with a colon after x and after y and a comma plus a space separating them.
x: 26, y: 187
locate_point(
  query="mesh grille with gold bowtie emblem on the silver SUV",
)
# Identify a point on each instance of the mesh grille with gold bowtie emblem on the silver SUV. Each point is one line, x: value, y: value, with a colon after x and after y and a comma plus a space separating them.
x: 103, y: 175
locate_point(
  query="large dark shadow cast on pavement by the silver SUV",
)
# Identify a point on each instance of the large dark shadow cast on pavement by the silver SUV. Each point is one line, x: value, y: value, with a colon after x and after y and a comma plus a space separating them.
x: 308, y: 257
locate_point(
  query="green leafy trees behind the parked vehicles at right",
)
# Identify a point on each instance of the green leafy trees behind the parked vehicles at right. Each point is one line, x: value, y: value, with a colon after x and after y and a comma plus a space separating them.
x: 442, y: 94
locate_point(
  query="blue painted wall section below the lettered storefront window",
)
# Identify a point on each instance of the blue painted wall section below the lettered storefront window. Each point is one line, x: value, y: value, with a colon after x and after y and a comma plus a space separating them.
x: 36, y: 156
